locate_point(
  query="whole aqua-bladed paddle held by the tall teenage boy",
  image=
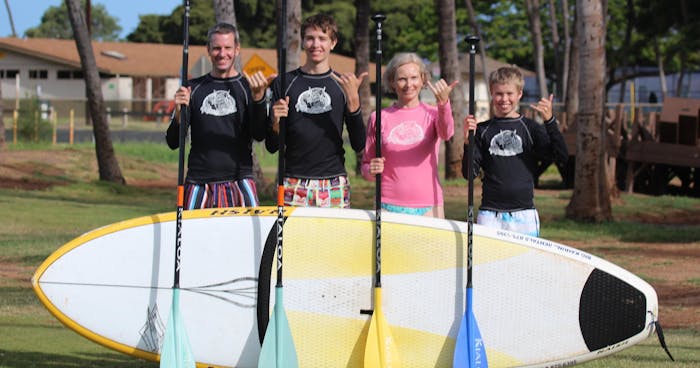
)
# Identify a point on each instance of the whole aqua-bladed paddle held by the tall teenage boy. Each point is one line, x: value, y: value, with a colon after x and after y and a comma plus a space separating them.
x: 278, y: 349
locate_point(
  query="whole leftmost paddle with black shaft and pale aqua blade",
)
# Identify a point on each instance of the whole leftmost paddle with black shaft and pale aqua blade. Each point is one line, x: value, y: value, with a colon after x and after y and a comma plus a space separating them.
x: 176, y: 351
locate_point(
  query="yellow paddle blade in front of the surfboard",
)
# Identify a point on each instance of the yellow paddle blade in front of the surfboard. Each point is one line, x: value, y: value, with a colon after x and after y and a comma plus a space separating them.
x: 380, y: 348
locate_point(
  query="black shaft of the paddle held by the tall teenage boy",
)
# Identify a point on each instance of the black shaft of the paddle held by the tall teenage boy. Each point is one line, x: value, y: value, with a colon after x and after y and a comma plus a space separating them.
x: 282, y: 67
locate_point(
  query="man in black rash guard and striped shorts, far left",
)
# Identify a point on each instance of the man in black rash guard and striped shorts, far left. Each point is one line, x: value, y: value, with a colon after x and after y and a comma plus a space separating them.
x: 225, y: 117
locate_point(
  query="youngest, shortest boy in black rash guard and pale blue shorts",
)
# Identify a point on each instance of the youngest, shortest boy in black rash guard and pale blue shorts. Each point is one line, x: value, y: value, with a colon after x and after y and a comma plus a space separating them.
x: 507, y: 147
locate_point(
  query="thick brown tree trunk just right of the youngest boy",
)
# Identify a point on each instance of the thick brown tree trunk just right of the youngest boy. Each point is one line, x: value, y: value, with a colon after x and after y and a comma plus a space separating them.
x: 591, y: 199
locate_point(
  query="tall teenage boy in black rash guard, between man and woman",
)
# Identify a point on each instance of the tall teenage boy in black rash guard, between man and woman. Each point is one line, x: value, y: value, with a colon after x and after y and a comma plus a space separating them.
x: 315, y: 102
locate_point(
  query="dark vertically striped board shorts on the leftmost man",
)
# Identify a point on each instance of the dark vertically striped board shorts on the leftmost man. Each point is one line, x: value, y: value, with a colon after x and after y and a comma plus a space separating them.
x: 239, y: 193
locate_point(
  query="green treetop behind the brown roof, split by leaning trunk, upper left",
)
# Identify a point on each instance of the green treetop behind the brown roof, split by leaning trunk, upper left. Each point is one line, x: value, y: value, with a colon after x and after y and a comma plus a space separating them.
x: 56, y: 24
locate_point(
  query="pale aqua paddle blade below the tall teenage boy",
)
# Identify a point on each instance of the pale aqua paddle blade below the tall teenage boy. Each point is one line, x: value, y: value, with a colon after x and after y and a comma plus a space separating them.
x: 278, y: 349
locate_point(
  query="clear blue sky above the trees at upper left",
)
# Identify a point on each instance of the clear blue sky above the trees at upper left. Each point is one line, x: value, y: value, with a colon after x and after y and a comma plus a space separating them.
x: 27, y: 13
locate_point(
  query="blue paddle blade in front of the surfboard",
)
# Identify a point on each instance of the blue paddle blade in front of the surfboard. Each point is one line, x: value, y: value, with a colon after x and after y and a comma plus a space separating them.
x: 469, y: 347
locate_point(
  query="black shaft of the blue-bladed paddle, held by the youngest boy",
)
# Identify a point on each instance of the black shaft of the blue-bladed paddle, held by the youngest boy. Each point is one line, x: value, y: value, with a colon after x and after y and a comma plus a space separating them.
x: 472, y: 41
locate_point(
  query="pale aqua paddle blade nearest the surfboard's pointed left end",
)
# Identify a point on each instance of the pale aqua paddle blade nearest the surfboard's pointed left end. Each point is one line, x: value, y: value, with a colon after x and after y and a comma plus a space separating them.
x: 176, y: 351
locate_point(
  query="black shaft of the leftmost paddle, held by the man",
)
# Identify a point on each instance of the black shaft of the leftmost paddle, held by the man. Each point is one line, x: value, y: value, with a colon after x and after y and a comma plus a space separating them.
x: 184, y: 120
